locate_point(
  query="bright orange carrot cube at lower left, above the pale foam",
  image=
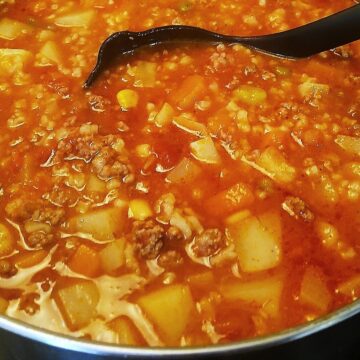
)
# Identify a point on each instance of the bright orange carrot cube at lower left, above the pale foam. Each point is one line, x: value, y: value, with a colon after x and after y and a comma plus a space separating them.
x: 85, y: 261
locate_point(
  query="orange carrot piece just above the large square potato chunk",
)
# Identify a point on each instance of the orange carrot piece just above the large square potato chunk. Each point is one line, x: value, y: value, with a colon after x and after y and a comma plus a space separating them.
x: 235, y: 198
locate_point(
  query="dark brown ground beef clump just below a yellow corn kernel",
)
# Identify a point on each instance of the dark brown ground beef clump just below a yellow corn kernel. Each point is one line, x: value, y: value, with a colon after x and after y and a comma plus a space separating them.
x: 149, y: 238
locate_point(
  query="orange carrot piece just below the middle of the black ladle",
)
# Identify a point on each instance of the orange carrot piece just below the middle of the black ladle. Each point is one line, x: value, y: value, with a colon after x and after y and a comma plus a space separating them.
x: 192, y: 88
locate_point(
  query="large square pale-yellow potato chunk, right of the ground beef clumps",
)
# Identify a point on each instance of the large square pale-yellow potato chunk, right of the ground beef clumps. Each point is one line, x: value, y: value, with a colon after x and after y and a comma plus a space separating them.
x: 258, y: 242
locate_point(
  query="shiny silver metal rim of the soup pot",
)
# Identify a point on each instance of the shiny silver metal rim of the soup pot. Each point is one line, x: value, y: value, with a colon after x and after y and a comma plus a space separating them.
x: 96, y: 348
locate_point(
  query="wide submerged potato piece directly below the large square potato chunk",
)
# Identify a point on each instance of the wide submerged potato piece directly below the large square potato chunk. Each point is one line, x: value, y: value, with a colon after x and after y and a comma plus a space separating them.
x: 265, y: 293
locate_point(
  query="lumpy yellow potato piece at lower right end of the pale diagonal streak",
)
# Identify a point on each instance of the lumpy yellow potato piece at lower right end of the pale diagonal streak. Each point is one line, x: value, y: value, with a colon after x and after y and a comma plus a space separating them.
x: 275, y: 163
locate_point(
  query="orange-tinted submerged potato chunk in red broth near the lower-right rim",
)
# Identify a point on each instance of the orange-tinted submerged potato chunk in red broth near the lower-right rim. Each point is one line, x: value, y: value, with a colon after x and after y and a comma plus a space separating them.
x: 314, y: 291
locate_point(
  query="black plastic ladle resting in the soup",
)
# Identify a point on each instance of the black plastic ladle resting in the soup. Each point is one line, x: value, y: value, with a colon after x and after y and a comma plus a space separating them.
x: 324, y: 34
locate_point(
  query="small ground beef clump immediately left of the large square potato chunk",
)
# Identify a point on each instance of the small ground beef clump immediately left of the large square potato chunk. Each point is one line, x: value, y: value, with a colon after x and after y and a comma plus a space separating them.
x: 208, y: 243
